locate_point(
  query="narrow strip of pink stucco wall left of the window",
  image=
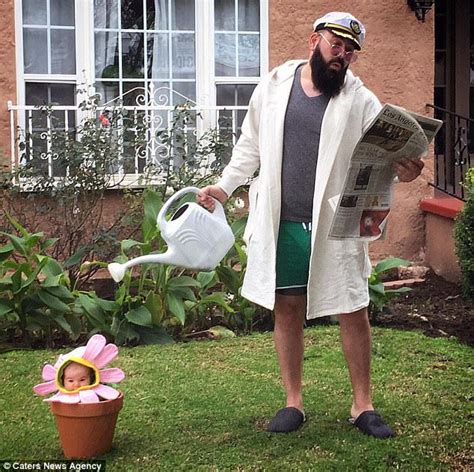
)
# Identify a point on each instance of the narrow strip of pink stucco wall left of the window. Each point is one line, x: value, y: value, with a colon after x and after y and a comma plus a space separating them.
x: 7, y: 75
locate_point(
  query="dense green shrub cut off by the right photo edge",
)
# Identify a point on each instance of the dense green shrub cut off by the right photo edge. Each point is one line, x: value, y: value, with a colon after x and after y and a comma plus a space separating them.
x: 464, y: 237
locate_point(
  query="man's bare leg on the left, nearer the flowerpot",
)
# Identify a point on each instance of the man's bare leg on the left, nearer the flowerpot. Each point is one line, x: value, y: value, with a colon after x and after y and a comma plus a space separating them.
x: 290, y: 312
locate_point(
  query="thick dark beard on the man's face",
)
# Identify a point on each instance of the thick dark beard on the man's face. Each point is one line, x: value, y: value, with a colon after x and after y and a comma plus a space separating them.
x: 326, y: 80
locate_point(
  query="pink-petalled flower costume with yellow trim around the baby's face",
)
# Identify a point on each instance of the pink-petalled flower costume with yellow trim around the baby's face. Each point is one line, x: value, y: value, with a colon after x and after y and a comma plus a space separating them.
x: 95, y: 355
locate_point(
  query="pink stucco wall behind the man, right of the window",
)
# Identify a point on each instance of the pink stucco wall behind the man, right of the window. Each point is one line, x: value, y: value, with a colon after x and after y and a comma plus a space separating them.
x: 397, y: 65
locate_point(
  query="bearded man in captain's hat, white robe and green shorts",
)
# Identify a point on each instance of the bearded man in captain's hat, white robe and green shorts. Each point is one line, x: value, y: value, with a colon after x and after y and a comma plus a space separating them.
x: 303, y: 123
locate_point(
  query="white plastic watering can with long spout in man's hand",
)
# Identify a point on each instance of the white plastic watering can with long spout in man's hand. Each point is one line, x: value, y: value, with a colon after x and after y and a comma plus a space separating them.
x: 197, y: 239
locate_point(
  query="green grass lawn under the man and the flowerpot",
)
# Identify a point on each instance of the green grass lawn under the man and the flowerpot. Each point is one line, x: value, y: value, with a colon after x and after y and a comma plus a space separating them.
x: 204, y: 406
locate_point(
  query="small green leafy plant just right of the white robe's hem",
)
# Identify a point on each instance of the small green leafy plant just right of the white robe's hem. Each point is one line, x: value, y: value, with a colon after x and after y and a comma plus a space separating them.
x: 379, y: 296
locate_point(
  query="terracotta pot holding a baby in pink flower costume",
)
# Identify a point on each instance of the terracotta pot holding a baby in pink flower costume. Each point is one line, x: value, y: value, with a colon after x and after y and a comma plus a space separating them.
x: 85, y: 409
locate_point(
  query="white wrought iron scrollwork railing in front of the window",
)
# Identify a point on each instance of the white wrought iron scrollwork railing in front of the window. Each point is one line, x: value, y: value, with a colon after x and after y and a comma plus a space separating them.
x: 31, y: 128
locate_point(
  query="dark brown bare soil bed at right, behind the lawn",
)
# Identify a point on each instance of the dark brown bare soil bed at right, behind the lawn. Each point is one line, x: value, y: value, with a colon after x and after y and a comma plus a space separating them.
x: 435, y: 306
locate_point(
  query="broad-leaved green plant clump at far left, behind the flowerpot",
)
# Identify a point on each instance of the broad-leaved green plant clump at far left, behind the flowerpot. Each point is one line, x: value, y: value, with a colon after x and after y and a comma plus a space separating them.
x: 35, y: 295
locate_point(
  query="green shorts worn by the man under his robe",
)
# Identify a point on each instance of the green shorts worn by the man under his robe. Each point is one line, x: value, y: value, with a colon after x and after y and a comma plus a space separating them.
x: 292, y: 259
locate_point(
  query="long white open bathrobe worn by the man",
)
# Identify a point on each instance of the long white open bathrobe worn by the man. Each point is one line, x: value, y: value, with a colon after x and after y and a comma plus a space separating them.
x: 338, y: 269
